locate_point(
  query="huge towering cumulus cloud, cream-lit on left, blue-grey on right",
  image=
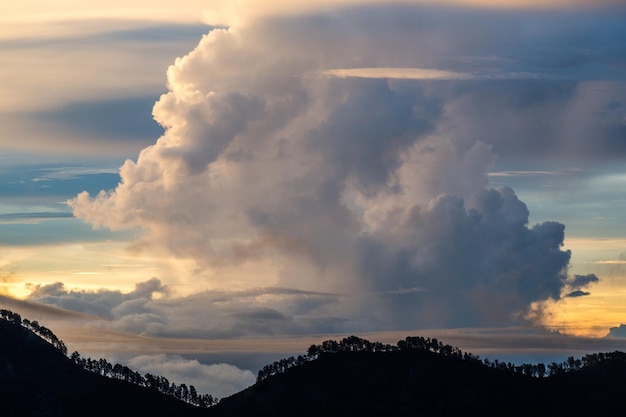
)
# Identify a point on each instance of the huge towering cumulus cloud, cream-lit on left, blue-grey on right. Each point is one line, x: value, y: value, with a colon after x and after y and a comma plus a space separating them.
x: 369, y: 187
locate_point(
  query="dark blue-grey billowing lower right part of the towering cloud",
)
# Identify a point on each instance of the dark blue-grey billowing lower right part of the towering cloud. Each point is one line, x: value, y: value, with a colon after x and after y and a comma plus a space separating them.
x: 478, y: 255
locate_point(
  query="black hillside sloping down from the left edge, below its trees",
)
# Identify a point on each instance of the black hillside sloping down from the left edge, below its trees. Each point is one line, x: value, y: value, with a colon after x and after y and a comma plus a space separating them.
x: 38, y: 380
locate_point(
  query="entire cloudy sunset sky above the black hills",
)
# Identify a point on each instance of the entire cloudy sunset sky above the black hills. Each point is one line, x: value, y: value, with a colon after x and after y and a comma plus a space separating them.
x: 202, y: 187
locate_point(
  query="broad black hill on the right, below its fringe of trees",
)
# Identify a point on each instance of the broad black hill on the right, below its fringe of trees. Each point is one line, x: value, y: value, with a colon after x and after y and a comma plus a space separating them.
x: 423, y: 383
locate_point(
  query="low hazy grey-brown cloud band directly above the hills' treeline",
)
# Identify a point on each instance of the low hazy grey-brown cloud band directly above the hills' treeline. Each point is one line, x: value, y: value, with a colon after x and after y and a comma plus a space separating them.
x: 90, y: 338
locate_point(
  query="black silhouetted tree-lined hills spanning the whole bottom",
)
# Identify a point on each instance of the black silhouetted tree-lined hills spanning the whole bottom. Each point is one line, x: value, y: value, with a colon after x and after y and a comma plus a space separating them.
x: 416, y: 377
